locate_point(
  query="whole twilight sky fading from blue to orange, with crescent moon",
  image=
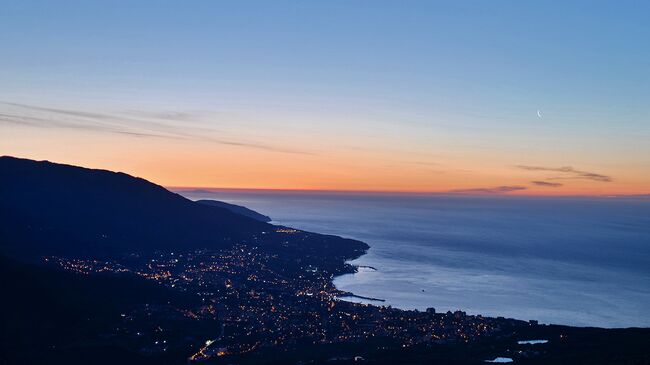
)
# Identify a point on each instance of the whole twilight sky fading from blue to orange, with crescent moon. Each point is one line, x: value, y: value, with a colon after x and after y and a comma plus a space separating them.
x: 337, y: 95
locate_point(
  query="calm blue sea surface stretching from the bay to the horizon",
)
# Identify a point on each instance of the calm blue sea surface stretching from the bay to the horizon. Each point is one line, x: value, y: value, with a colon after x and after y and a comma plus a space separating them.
x: 570, y: 261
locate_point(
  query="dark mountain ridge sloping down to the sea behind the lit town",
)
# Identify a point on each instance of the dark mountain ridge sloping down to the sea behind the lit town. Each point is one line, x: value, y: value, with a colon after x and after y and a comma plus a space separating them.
x: 49, y: 209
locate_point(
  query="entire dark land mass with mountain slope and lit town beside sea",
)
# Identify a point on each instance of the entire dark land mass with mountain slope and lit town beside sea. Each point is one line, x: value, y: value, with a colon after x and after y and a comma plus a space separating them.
x: 104, y: 268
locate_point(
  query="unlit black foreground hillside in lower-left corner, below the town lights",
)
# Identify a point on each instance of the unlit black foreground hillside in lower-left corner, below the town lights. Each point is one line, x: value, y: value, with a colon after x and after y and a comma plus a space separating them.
x: 52, y: 317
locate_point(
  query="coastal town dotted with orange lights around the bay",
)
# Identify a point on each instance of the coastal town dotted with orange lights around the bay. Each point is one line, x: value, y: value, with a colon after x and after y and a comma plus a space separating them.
x: 255, y: 300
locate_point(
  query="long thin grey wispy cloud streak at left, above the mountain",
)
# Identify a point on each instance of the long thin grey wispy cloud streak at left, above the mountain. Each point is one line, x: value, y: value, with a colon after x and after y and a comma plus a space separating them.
x: 137, y: 124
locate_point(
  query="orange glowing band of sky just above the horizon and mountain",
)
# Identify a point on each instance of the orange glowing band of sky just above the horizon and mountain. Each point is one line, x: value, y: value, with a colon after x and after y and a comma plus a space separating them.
x: 184, y: 163
